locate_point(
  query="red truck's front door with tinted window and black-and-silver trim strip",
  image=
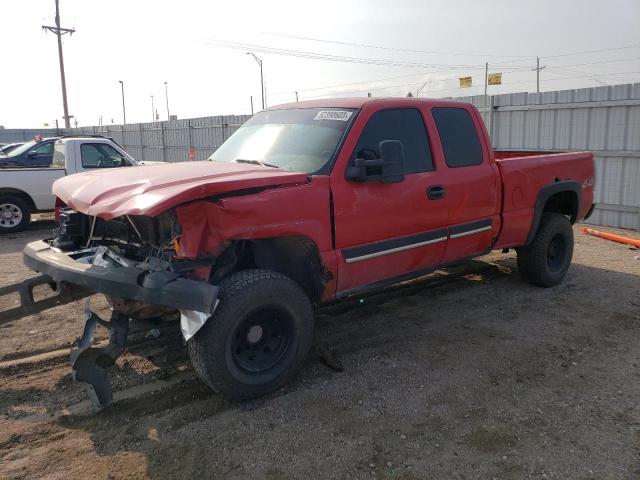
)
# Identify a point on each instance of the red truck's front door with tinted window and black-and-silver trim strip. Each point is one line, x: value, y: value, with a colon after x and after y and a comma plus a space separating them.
x: 384, y: 231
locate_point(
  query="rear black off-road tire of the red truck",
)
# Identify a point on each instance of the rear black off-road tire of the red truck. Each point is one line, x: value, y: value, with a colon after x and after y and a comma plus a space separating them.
x: 546, y: 260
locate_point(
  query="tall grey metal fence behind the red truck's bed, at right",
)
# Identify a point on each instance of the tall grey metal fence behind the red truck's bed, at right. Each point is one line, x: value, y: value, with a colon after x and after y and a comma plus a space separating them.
x: 604, y: 120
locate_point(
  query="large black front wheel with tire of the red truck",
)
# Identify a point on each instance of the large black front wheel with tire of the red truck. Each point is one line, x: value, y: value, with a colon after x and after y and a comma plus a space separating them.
x: 258, y: 337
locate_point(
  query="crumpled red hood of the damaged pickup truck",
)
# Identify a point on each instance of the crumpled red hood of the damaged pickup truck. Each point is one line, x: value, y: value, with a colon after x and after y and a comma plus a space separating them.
x: 152, y: 189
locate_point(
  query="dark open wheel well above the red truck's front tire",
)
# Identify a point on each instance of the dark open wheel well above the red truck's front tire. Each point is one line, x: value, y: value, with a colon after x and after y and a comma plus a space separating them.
x: 296, y: 257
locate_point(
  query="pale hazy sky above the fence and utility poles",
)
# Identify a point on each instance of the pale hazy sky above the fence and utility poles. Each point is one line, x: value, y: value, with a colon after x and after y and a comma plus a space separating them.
x: 319, y: 49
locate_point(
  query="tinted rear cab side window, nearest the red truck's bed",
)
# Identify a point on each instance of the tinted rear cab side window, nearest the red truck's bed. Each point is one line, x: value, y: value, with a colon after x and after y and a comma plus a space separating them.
x: 459, y: 136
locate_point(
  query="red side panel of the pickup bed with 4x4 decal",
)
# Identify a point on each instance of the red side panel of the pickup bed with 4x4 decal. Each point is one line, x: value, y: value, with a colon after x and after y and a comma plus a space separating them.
x: 526, y: 173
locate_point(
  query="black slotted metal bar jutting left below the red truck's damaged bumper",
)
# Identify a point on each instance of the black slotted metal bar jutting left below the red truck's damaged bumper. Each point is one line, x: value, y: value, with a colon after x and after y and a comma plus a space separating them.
x: 61, y: 294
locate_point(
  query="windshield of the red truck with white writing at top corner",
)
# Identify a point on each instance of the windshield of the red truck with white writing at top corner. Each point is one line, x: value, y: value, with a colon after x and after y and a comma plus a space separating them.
x: 299, y: 140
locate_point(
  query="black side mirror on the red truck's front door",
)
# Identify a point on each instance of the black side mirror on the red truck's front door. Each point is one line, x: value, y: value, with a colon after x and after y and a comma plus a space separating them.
x: 388, y: 168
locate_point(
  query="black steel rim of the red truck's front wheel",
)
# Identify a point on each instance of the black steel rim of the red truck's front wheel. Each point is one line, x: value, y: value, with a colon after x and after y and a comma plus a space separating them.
x: 262, y: 339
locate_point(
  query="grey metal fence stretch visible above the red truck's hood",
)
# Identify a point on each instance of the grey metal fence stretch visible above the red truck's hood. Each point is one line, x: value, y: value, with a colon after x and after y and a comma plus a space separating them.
x: 170, y: 141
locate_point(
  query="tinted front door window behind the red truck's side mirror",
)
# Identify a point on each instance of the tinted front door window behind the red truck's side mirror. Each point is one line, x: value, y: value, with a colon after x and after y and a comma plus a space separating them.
x: 403, y: 124
